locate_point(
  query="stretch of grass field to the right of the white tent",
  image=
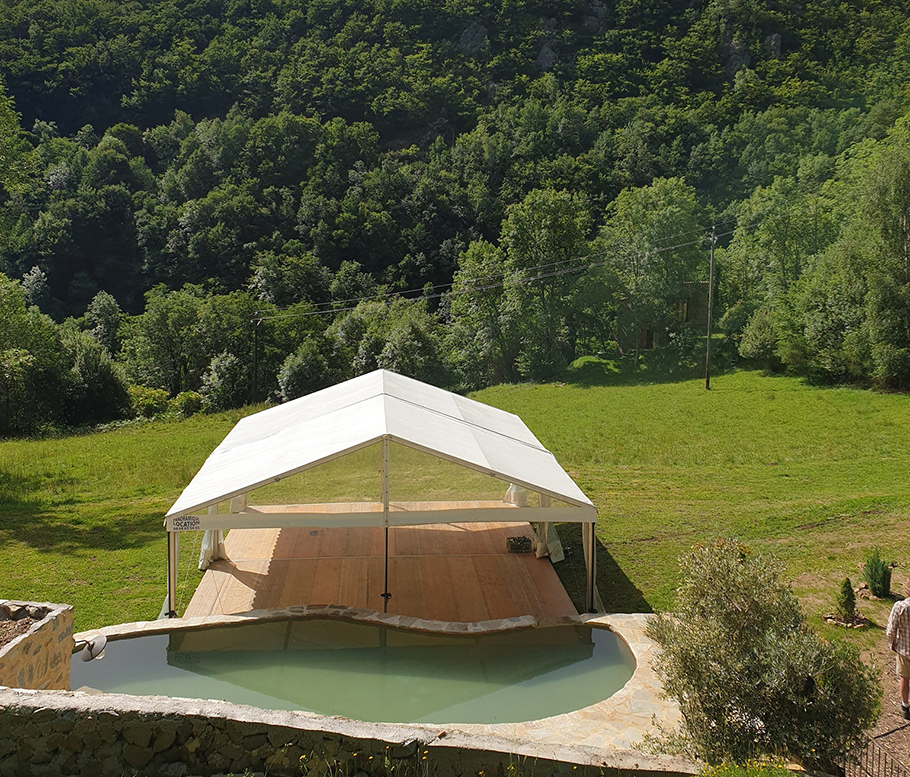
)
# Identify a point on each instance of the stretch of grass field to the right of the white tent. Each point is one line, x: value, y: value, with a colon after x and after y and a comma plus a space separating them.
x: 815, y: 475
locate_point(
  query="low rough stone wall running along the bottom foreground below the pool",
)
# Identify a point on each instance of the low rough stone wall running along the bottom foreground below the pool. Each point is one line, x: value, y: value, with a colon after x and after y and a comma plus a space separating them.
x: 56, y: 733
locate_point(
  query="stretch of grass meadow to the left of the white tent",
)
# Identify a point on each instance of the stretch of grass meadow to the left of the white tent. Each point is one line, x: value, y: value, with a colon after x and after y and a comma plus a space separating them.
x: 81, y: 517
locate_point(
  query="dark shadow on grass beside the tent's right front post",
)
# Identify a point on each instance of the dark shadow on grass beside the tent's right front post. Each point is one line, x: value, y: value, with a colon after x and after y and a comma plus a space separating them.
x: 618, y: 592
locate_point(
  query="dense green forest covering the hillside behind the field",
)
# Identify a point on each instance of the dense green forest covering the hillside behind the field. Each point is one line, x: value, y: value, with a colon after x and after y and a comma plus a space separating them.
x: 210, y: 202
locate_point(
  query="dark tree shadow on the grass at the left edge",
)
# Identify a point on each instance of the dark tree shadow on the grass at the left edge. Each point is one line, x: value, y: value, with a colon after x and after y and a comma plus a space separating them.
x: 67, y: 527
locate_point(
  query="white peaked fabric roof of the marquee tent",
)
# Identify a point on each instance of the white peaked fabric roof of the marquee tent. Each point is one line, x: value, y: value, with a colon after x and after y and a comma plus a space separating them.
x: 316, y: 428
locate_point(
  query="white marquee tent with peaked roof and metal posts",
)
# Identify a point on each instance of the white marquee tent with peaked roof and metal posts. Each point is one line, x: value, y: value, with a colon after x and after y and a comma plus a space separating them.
x: 380, y: 407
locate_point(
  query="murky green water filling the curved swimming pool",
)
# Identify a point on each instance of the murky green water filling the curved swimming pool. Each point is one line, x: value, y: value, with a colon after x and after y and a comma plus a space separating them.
x: 370, y: 672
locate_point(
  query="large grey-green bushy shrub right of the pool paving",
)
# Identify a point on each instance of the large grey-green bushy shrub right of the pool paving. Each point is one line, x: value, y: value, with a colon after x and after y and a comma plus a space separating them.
x: 750, y: 677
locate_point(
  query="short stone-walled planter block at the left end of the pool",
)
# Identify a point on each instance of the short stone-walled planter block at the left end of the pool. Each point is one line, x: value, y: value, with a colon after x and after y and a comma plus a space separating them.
x: 40, y: 658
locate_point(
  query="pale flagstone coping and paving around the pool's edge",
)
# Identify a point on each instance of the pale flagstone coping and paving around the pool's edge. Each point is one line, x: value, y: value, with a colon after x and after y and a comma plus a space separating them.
x: 615, y: 725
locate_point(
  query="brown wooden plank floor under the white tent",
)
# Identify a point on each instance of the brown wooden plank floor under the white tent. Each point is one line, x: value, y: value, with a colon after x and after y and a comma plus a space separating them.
x: 448, y: 572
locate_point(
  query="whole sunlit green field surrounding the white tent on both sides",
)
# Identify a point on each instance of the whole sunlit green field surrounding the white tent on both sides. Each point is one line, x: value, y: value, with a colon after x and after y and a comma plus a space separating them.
x: 816, y: 475
